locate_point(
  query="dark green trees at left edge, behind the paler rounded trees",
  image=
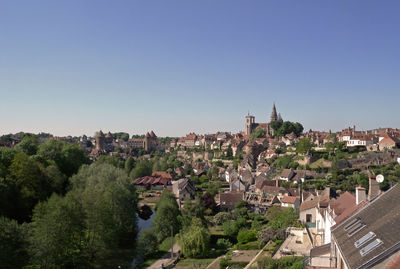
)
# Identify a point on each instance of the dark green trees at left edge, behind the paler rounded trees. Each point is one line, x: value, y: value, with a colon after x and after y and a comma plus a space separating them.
x: 30, y: 173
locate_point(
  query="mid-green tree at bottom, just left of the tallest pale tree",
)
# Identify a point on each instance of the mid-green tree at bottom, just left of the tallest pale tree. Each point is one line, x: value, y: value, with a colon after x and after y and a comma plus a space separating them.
x: 58, y: 234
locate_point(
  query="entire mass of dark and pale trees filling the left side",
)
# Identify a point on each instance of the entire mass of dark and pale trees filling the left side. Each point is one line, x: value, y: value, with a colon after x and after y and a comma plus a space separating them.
x: 57, y: 211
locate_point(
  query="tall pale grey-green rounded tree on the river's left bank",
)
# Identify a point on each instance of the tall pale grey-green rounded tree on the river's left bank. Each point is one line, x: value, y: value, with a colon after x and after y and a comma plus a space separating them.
x: 109, y: 200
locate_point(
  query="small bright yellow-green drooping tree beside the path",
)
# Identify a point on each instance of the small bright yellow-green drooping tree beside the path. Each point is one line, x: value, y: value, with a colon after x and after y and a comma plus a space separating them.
x: 195, y: 240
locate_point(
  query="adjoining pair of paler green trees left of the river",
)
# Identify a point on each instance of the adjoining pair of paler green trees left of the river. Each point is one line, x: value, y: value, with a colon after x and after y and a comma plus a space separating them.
x: 96, y: 215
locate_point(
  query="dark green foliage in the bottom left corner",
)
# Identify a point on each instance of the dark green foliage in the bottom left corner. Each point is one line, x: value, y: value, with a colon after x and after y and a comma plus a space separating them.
x: 13, y: 245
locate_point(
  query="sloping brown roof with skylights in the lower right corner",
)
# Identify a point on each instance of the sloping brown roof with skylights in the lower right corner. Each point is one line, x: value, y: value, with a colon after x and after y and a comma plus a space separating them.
x: 382, y: 217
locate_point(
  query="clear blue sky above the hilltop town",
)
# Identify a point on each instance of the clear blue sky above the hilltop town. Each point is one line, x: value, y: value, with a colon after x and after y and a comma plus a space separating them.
x: 75, y: 66
